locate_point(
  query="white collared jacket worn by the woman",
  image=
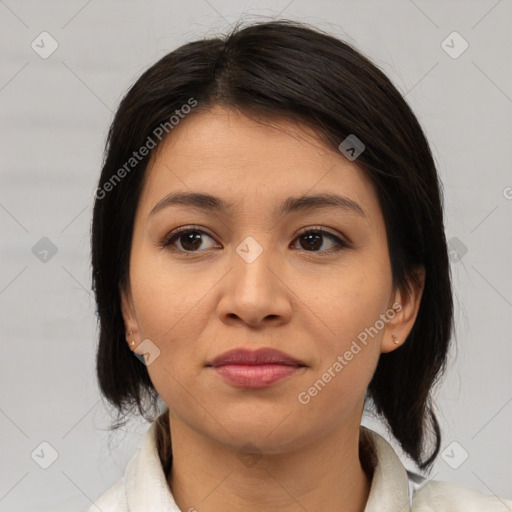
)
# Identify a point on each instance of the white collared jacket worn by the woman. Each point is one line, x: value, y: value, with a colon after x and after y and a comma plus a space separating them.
x: 143, y: 488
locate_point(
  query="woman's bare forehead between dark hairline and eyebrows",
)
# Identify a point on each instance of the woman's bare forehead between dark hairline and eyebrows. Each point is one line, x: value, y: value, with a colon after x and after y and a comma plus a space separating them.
x: 249, y: 162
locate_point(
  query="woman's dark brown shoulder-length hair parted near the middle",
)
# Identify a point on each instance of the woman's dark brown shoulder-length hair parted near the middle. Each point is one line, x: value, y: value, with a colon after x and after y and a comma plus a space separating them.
x: 288, y: 70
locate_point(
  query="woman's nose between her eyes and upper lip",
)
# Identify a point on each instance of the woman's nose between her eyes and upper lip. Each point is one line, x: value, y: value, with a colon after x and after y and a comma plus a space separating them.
x: 255, y: 291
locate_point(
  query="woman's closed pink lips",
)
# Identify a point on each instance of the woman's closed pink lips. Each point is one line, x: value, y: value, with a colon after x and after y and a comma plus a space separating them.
x: 260, y: 368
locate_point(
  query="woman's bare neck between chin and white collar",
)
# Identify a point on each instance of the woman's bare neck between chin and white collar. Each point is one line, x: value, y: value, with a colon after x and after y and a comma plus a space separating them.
x: 324, y: 475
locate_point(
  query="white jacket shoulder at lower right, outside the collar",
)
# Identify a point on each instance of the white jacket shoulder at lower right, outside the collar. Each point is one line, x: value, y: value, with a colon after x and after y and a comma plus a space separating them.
x: 439, y: 496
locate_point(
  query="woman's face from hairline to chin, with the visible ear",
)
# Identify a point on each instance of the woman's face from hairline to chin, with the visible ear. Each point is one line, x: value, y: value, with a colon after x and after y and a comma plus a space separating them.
x: 247, y: 277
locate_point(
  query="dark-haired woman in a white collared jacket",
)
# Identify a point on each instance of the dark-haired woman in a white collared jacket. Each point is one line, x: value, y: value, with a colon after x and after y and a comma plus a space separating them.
x: 269, y: 256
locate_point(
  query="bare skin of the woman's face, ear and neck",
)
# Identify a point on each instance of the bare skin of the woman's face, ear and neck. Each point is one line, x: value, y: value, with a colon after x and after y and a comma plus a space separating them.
x: 197, y: 300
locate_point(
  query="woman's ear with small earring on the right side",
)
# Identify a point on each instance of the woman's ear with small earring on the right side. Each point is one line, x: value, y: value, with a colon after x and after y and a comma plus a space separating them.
x: 406, y: 304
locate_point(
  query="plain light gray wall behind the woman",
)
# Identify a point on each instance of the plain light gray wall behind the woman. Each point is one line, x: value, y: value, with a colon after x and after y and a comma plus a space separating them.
x: 55, y: 113
